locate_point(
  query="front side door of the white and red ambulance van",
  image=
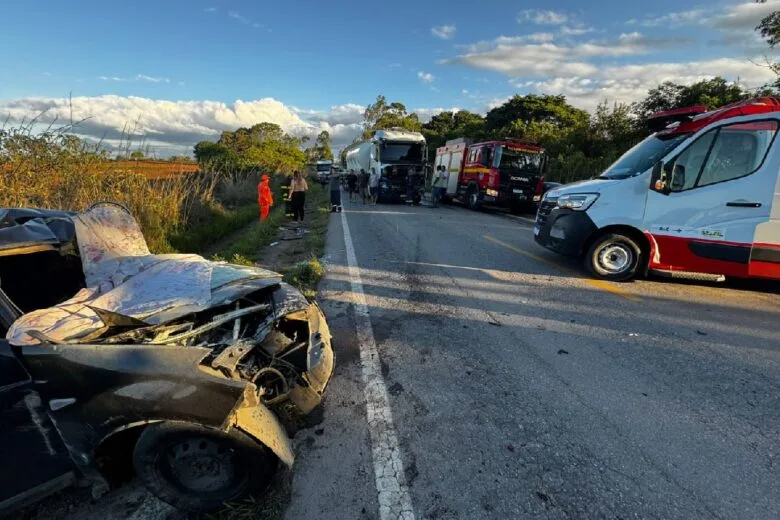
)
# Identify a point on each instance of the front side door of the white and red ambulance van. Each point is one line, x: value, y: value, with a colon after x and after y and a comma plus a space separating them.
x: 720, y: 189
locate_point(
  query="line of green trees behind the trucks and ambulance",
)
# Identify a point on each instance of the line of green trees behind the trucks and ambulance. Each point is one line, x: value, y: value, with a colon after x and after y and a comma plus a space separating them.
x: 578, y: 144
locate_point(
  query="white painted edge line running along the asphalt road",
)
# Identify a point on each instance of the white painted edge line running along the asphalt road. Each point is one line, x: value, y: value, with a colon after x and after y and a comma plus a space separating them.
x: 395, y: 500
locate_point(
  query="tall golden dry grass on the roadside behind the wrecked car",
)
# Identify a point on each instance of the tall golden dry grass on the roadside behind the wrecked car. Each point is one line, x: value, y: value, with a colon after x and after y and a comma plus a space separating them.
x: 57, y: 170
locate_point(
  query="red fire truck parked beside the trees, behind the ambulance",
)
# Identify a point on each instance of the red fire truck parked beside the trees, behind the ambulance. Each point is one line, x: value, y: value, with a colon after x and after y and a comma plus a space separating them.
x: 506, y: 173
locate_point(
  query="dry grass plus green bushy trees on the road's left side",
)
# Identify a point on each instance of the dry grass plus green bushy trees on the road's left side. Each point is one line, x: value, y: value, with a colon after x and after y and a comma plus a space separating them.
x: 182, y: 212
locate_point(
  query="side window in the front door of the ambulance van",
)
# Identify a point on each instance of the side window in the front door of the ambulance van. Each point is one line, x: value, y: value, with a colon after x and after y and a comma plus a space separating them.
x: 739, y: 150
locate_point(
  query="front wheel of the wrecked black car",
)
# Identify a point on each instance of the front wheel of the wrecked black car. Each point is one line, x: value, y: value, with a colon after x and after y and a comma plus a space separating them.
x: 200, y: 469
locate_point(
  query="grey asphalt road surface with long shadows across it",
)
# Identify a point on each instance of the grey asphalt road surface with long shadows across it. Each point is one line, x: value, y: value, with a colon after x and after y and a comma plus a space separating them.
x: 518, y: 388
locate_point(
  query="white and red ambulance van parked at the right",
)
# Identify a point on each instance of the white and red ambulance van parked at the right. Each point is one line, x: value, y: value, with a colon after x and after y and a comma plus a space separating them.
x: 699, y: 198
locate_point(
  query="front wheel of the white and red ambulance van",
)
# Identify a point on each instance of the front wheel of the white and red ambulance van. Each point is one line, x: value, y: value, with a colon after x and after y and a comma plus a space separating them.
x: 613, y: 257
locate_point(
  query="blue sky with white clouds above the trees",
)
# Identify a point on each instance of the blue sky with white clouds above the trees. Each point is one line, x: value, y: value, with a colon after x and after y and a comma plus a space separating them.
x: 174, y: 72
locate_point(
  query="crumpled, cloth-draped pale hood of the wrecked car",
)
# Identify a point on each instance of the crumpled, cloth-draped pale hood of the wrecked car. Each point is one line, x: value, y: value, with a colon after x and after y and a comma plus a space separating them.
x: 123, y: 277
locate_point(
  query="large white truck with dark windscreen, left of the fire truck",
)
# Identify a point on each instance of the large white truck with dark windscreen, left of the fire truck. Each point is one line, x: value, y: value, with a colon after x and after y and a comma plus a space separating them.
x: 396, y: 157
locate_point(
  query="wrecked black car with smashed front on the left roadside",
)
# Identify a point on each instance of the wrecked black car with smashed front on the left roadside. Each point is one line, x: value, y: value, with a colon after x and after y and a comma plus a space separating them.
x: 176, y: 367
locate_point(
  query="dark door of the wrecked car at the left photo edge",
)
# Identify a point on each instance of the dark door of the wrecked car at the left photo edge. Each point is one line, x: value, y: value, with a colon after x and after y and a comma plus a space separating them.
x: 35, y: 461
